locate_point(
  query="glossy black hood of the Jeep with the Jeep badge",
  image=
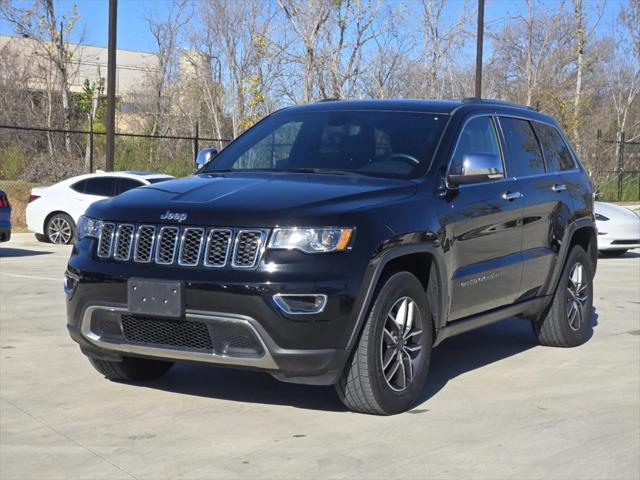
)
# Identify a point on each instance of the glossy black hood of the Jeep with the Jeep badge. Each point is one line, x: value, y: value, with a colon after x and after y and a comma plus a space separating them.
x: 251, y: 199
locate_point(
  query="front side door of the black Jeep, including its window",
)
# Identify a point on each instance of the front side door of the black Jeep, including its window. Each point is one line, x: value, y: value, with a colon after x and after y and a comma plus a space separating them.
x: 485, y: 228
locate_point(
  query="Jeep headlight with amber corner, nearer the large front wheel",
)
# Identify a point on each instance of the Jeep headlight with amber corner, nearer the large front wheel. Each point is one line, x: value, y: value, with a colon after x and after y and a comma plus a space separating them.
x: 312, y: 240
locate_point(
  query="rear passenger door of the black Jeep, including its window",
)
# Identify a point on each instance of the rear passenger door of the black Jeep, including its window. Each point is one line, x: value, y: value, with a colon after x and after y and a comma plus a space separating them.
x: 545, y: 199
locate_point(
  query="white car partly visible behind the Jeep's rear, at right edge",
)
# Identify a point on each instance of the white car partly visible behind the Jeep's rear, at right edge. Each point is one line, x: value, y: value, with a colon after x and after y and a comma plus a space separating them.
x: 618, y: 229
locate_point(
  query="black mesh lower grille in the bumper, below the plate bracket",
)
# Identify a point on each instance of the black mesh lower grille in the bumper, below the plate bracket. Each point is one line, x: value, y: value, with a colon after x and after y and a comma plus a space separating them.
x: 167, y: 333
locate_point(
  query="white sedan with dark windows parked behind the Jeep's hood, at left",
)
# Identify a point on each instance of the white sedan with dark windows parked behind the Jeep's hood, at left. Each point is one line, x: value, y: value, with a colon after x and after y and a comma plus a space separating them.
x: 53, y: 212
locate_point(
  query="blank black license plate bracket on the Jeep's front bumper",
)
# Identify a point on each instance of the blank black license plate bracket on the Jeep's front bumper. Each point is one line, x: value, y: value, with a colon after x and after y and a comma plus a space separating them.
x: 160, y: 298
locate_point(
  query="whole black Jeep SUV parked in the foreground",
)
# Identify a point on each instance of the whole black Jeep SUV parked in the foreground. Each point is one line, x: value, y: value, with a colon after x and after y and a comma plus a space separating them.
x: 338, y: 243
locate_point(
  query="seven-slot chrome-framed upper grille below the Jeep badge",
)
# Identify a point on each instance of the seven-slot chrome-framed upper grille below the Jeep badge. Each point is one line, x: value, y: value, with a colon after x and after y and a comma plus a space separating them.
x: 182, y: 246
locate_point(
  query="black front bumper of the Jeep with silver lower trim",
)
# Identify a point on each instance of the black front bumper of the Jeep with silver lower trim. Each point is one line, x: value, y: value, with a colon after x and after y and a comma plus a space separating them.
x: 296, y: 348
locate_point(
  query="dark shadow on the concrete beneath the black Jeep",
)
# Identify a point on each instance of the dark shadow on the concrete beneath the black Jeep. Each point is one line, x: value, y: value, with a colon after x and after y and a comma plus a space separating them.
x: 456, y: 356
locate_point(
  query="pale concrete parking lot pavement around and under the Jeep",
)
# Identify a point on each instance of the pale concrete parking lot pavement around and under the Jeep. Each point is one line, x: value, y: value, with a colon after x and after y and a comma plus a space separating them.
x: 496, y: 404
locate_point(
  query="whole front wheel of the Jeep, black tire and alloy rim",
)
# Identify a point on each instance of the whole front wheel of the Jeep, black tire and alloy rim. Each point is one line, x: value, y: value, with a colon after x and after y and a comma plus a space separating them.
x: 363, y: 386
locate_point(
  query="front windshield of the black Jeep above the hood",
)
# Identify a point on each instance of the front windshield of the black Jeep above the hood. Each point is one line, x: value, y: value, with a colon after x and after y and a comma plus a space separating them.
x: 378, y: 143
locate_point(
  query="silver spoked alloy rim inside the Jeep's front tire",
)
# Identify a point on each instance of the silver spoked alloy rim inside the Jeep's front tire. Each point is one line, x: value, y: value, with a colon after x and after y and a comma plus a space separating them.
x: 401, y: 346
